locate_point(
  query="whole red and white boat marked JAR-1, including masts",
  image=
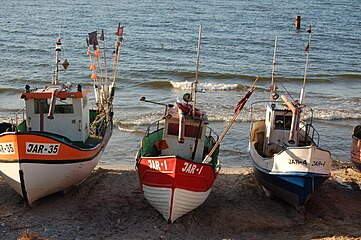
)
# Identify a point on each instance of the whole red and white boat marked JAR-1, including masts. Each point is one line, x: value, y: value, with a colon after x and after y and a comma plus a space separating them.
x: 178, y: 161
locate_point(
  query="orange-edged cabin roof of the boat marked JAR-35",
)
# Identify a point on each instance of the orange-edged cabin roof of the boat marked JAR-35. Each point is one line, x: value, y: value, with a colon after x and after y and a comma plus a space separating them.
x: 47, y: 93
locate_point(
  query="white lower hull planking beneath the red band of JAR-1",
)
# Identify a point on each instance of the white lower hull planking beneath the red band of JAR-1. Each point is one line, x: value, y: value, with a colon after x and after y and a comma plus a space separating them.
x: 172, y: 208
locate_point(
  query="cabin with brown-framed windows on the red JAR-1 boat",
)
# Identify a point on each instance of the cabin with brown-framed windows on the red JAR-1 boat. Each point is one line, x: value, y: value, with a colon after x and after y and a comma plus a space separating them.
x: 181, y: 134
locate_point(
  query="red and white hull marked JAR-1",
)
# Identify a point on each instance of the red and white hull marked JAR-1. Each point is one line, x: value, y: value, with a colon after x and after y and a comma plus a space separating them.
x: 175, y: 186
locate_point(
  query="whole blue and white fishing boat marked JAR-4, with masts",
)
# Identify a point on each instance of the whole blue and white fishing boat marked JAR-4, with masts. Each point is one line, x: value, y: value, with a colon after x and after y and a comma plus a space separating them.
x: 284, y: 146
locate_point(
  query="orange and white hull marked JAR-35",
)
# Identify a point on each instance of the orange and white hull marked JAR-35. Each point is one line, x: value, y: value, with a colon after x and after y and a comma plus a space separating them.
x: 40, y: 165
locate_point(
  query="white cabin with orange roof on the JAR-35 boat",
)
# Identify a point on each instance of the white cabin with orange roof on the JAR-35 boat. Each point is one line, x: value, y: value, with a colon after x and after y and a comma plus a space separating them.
x: 57, y: 109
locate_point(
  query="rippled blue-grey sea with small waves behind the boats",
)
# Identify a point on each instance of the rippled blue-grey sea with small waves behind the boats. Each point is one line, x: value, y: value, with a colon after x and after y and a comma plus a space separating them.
x: 158, y: 59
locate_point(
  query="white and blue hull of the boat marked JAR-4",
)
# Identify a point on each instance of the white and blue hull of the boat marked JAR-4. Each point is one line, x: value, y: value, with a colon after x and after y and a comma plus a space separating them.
x: 293, y: 174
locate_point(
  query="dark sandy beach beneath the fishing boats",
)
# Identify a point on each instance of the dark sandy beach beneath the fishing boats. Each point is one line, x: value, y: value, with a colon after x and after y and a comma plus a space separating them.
x: 110, y: 205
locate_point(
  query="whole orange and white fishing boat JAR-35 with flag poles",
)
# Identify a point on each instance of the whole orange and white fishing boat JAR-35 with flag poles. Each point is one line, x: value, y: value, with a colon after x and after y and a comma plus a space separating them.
x: 57, y: 139
